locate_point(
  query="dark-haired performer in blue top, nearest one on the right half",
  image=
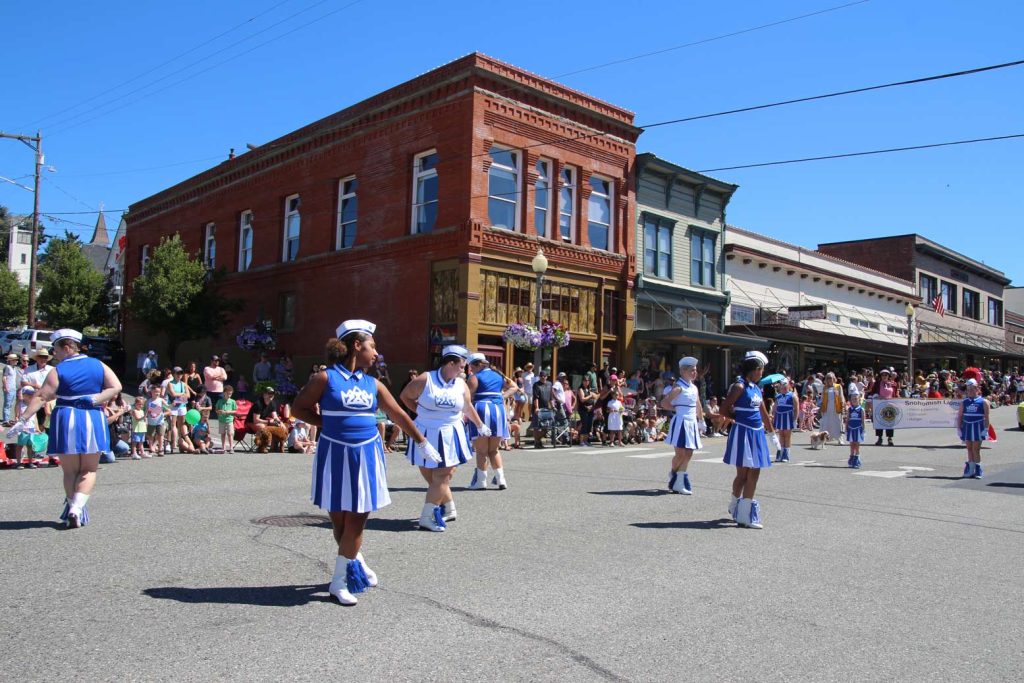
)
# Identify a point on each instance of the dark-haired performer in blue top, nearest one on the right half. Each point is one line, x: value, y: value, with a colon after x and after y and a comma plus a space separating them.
x: 748, y: 447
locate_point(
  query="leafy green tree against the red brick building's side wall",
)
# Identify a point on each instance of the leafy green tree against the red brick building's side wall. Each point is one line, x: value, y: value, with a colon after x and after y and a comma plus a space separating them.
x: 179, y: 297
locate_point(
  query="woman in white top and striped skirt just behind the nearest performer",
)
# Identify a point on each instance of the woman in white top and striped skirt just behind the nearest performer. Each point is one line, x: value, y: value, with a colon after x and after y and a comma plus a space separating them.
x: 442, y: 401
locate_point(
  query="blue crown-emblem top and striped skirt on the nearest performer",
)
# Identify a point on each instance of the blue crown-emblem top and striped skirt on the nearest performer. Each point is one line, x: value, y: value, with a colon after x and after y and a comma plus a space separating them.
x: 350, y: 471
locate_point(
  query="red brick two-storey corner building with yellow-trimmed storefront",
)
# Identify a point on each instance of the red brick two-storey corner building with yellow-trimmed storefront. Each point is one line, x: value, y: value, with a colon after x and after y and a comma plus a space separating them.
x: 421, y: 209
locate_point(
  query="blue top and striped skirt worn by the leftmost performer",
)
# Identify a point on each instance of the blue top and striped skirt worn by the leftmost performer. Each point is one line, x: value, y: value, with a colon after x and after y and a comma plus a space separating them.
x: 78, y: 426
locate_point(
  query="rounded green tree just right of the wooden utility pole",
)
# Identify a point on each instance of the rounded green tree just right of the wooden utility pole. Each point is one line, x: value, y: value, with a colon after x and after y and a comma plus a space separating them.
x: 71, y: 291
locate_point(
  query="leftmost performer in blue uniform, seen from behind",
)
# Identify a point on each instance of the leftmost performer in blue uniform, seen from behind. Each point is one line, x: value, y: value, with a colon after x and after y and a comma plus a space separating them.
x: 78, y: 426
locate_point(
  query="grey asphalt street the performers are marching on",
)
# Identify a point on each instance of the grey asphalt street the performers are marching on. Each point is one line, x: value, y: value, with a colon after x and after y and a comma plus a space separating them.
x: 584, y: 570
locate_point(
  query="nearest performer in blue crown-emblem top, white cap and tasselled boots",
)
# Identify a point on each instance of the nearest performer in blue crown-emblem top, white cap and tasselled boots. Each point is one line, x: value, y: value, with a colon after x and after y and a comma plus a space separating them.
x: 350, y: 479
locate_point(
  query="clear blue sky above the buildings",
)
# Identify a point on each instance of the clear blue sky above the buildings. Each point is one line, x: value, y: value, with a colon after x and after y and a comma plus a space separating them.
x: 968, y: 198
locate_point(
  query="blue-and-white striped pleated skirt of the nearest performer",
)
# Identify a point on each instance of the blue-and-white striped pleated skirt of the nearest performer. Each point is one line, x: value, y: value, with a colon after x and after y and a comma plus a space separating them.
x: 350, y: 478
